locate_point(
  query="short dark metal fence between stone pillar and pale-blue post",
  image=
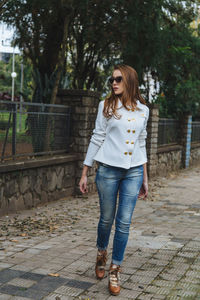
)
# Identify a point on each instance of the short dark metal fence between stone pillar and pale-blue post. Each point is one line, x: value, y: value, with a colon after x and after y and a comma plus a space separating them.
x: 168, y: 132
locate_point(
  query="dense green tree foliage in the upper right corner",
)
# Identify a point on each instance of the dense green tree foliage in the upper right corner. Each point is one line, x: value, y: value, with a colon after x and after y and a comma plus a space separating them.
x: 178, y: 68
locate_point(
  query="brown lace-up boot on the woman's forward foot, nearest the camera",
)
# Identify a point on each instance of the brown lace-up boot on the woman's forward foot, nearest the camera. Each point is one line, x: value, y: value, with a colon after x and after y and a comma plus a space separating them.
x: 114, y: 279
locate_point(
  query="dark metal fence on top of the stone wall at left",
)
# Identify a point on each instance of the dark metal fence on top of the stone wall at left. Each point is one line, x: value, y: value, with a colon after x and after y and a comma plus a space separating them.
x: 30, y: 129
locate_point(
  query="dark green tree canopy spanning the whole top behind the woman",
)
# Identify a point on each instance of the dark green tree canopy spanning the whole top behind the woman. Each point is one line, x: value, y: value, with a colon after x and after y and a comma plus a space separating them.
x: 155, y: 37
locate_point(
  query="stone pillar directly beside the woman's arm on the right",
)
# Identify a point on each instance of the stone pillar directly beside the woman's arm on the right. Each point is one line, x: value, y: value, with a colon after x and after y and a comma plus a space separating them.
x: 152, y: 138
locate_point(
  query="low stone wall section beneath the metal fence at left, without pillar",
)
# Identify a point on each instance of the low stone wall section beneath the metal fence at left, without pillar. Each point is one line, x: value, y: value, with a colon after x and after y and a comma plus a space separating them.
x: 26, y: 184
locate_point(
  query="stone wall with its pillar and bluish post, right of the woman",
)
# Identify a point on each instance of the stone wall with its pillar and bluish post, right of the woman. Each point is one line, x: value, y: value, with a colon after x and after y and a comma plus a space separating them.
x: 162, y: 160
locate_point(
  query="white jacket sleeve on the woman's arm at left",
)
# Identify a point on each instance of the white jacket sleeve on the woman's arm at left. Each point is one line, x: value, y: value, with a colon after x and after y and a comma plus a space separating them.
x: 98, y: 136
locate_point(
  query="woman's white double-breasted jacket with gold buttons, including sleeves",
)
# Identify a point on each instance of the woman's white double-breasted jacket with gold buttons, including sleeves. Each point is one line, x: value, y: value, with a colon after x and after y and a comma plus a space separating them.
x: 119, y: 142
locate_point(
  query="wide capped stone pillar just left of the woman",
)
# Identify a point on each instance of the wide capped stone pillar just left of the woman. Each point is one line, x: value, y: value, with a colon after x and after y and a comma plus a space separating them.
x: 84, y: 105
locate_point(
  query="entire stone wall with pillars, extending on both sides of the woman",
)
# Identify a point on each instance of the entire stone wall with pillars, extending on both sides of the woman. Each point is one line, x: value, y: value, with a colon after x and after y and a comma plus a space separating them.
x: 24, y: 184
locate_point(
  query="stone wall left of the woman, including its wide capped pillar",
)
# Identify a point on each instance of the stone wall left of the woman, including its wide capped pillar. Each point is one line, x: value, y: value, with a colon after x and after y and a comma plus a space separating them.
x: 24, y: 184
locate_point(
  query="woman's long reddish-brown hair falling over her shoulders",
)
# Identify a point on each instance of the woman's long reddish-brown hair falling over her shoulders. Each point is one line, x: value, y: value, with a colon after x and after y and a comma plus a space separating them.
x: 130, y: 94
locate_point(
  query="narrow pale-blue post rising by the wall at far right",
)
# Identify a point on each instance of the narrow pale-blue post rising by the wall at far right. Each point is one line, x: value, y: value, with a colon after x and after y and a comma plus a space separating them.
x: 186, y: 139
